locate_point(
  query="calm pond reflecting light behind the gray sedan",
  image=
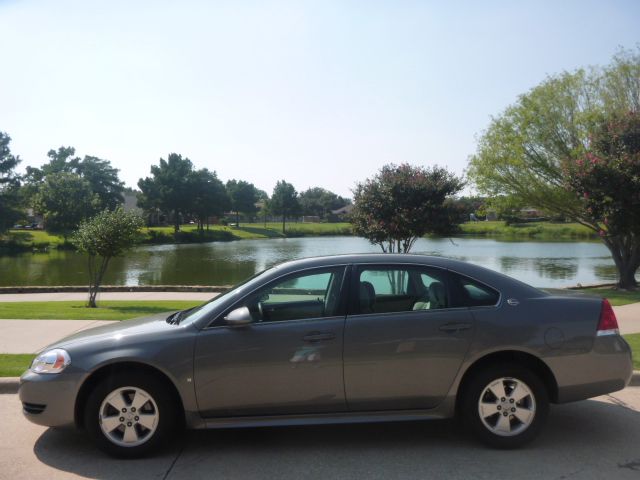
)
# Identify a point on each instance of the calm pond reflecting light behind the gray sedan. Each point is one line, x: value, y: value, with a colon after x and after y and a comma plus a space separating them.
x: 543, y: 264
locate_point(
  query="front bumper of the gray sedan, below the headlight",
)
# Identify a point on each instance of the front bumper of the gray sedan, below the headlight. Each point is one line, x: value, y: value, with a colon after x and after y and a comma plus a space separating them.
x: 49, y: 399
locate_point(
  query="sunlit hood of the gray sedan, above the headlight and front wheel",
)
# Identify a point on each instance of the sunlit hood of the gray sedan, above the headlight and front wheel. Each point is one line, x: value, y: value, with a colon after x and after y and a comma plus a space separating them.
x: 117, y: 331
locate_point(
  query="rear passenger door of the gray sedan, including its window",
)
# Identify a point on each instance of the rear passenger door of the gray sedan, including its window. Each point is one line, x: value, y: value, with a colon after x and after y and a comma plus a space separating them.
x: 404, y: 343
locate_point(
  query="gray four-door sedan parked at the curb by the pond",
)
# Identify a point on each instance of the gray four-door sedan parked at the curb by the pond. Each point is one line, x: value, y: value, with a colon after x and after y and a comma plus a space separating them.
x: 357, y: 338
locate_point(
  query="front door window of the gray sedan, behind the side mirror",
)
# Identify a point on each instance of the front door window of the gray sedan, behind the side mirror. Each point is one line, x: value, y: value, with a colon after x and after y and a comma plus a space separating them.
x: 312, y: 294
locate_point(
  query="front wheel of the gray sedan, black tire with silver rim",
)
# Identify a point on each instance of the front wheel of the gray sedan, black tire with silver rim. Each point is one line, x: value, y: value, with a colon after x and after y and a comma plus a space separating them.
x: 131, y: 415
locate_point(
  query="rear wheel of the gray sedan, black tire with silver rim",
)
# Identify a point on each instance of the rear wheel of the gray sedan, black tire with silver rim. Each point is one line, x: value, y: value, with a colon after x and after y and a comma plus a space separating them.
x: 499, y: 389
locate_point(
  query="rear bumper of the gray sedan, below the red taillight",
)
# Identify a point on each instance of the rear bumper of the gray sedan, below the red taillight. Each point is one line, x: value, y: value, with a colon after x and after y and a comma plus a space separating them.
x: 607, y: 368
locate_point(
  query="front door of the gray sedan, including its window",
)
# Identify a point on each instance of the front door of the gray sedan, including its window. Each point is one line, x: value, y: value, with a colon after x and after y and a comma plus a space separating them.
x: 288, y: 361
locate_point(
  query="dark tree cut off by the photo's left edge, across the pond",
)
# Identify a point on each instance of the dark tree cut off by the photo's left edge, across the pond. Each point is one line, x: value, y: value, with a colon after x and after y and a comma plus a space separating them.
x: 9, y: 183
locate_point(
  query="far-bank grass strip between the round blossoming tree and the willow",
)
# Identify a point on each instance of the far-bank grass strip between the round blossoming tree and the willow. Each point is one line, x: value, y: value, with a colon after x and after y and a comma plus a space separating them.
x: 537, y: 230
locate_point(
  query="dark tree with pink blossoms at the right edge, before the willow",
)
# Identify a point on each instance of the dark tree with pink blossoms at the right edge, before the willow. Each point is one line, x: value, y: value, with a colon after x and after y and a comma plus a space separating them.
x: 606, y: 181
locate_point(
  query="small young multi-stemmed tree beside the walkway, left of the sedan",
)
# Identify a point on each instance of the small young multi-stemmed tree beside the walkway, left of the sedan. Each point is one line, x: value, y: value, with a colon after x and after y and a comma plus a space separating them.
x: 108, y: 234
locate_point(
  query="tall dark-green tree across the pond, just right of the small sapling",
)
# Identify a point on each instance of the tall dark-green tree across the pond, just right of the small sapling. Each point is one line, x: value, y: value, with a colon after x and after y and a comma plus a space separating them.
x: 169, y: 187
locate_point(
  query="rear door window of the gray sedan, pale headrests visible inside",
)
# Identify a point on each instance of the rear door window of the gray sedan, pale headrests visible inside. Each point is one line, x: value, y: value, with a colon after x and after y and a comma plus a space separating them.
x: 387, y: 289
